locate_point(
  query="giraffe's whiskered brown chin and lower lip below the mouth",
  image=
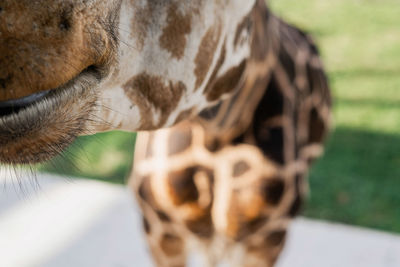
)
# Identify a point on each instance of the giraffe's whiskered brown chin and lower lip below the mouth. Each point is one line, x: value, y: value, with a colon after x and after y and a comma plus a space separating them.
x: 45, y: 128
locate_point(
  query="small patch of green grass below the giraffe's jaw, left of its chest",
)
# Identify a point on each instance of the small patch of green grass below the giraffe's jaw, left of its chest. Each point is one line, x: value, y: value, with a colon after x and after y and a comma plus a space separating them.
x: 104, y: 156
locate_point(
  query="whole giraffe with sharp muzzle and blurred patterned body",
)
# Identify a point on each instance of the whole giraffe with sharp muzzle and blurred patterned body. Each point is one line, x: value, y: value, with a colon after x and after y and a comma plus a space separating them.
x: 244, y: 92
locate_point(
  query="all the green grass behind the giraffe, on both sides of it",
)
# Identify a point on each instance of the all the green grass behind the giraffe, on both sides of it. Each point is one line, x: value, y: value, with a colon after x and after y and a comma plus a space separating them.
x: 358, y: 179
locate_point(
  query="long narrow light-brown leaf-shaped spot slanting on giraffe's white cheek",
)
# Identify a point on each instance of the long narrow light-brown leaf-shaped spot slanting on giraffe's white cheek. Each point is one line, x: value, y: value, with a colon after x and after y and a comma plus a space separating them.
x: 205, y: 55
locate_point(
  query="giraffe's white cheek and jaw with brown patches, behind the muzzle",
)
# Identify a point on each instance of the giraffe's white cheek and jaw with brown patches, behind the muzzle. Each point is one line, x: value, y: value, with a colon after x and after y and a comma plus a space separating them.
x: 178, y: 53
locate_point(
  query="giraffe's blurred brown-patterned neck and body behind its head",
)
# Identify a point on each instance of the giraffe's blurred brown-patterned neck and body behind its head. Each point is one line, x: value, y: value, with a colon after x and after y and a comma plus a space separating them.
x: 229, y: 181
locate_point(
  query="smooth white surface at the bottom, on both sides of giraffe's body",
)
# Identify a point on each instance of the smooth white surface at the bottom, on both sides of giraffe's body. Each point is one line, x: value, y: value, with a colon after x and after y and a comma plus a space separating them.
x: 81, y: 223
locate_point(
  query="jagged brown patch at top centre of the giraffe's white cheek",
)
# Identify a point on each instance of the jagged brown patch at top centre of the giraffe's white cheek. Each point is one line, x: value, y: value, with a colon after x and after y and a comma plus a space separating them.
x: 174, y: 34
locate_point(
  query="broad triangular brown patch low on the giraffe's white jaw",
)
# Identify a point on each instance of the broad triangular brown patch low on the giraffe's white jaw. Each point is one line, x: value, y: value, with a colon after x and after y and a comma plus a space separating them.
x: 152, y: 92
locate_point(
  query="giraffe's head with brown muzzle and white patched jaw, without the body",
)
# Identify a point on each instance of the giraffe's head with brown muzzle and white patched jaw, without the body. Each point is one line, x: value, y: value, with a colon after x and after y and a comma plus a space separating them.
x: 73, y: 67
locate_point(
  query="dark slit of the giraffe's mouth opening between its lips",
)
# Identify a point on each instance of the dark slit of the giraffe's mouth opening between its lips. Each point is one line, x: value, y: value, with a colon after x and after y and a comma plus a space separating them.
x: 14, y: 106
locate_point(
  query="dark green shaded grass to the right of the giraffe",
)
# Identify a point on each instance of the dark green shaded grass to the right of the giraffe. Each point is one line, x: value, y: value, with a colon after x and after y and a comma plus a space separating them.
x: 358, y: 180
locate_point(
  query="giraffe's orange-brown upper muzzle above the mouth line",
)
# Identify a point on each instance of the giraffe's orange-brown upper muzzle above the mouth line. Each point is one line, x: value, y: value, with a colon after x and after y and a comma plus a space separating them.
x: 46, y: 44
